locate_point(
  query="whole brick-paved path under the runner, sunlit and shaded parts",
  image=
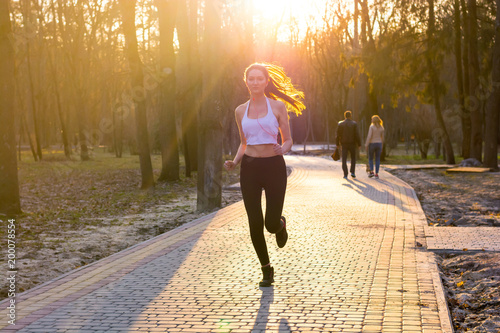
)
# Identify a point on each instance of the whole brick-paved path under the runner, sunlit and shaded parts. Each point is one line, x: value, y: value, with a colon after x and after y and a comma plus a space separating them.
x: 356, y: 261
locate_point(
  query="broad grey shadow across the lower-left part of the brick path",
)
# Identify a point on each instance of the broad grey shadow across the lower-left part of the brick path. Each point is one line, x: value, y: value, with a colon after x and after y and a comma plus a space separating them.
x: 122, y: 299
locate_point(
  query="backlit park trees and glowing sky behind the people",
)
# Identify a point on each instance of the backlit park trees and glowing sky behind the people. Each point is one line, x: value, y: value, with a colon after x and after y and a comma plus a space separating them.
x: 164, y: 77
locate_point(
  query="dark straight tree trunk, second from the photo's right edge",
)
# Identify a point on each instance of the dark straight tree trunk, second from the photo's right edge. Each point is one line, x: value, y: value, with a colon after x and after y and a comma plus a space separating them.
x: 474, y: 102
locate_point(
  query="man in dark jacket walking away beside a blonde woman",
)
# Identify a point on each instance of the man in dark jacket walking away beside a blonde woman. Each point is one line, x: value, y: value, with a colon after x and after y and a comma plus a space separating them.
x: 348, y: 138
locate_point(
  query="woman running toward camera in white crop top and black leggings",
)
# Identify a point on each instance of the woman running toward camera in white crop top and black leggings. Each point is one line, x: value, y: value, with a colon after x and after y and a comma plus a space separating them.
x: 263, y: 167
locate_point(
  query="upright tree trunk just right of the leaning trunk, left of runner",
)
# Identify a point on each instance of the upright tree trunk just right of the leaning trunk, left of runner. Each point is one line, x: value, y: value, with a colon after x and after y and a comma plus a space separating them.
x: 168, y: 135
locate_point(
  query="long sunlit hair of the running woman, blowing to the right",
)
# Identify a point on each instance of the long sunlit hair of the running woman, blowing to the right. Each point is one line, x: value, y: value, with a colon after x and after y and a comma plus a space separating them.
x: 280, y: 86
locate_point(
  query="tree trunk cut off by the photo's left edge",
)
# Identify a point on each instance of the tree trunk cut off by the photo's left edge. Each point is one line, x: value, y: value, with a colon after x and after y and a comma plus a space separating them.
x: 9, y: 185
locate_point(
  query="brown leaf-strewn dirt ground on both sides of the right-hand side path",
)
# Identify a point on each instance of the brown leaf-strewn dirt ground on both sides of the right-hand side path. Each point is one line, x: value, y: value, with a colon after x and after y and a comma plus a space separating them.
x: 471, y: 281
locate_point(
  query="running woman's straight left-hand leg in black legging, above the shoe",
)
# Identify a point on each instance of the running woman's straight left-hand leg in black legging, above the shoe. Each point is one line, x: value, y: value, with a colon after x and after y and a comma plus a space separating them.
x: 251, y: 190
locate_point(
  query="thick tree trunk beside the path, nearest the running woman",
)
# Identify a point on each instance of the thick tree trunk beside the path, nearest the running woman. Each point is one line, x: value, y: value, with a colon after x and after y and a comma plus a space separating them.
x: 209, y: 195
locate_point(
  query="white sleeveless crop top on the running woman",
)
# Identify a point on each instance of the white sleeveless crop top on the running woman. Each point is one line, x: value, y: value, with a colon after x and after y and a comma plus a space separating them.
x: 262, y: 130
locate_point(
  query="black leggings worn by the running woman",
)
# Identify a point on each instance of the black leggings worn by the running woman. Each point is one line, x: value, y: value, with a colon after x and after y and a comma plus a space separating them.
x: 268, y: 173
